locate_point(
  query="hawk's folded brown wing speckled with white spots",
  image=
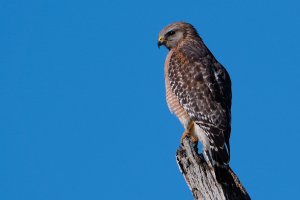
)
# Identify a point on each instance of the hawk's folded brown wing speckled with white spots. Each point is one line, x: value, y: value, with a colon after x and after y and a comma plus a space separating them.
x: 200, y: 90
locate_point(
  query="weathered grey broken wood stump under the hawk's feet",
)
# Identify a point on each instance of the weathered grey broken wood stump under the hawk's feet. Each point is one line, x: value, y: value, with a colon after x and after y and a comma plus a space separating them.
x: 200, y: 177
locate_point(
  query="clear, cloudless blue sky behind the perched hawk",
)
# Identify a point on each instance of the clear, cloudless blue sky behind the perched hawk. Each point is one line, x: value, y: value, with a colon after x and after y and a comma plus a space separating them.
x: 82, y: 102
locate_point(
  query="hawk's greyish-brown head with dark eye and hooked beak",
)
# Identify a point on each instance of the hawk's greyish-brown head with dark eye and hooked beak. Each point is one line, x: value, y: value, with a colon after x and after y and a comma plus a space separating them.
x: 173, y: 34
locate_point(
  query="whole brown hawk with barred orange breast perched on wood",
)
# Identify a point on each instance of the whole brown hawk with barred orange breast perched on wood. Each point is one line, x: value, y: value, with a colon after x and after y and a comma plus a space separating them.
x: 198, y: 92
